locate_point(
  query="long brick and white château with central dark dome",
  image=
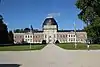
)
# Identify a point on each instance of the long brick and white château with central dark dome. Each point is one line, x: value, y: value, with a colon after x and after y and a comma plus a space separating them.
x: 51, y: 34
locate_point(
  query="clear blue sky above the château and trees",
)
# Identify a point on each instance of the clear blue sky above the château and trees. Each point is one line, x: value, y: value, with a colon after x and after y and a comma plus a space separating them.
x: 23, y: 13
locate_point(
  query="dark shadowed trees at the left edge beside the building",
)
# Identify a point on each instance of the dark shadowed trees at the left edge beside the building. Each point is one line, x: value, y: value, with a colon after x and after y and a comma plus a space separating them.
x: 5, y: 36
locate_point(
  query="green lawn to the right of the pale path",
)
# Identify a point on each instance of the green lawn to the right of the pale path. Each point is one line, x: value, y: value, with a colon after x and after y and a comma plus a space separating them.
x: 79, y: 46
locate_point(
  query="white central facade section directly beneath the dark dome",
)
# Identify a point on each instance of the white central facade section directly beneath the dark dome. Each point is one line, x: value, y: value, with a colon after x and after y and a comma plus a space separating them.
x: 50, y: 33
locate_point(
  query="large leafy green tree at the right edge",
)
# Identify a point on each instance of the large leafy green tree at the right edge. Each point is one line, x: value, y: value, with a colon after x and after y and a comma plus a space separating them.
x: 90, y: 14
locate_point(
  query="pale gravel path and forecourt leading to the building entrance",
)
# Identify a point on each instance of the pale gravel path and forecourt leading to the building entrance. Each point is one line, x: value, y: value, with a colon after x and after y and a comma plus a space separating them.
x: 51, y: 56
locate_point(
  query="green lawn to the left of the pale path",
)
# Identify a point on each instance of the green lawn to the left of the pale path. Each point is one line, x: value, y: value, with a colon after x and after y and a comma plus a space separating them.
x: 21, y: 48
